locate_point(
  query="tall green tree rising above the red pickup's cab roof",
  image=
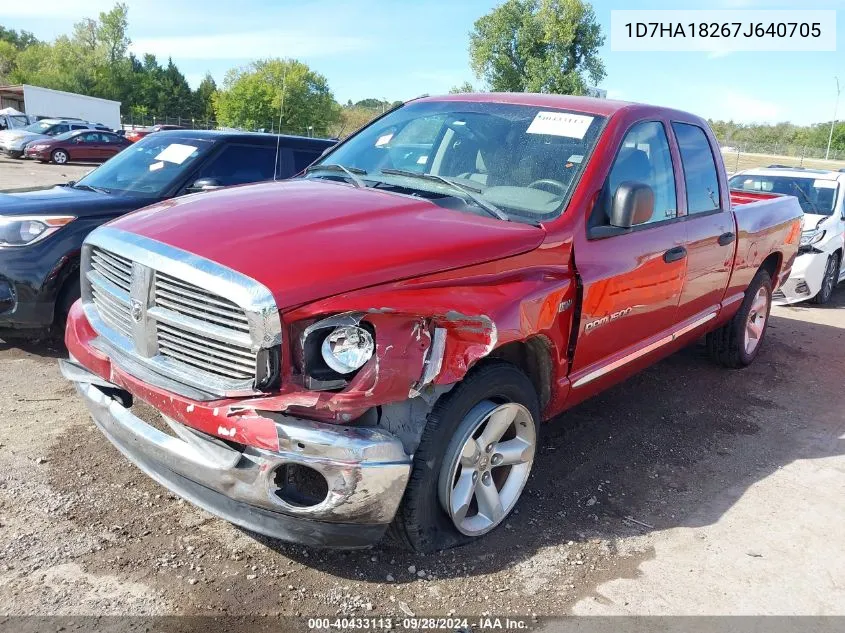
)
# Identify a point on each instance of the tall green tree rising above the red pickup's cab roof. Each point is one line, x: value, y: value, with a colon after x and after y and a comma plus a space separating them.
x: 538, y: 46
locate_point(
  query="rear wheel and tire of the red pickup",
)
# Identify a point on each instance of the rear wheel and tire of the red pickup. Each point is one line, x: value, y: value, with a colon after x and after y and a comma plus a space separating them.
x: 729, y: 345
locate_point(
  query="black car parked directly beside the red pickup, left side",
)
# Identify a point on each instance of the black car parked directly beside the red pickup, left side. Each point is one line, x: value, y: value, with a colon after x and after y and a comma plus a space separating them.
x: 41, y: 232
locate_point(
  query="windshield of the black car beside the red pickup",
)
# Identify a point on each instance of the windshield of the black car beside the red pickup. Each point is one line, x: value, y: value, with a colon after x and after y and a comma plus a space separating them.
x: 148, y: 167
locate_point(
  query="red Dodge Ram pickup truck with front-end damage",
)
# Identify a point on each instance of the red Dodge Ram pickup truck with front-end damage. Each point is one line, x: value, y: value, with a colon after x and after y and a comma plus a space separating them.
x: 376, y: 342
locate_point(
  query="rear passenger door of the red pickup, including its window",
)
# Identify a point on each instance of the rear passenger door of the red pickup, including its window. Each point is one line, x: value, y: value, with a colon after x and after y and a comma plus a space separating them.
x: 710, y: 225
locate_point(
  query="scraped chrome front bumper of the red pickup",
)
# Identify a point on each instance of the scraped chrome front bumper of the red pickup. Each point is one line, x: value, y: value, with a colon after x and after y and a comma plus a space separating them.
x: 365, y: 469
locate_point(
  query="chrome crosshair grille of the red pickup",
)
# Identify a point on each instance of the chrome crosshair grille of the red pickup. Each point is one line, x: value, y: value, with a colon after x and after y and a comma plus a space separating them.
x: 168, y: 316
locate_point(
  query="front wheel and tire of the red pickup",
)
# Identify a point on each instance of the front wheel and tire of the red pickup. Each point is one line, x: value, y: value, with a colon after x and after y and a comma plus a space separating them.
x: 423, y: 522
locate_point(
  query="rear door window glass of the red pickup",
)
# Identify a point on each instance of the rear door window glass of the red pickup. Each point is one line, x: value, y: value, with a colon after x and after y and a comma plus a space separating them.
x: 700, y: 172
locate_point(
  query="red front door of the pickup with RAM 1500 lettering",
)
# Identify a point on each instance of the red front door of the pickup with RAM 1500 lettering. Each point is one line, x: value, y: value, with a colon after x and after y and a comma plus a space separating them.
x: 631, y: 280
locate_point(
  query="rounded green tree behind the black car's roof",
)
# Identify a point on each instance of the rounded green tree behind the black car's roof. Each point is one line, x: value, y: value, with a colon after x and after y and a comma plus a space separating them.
x: 260, y: 94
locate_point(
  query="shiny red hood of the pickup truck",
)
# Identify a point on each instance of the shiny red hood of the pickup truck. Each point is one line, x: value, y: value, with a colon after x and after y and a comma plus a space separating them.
x: 307, y: 239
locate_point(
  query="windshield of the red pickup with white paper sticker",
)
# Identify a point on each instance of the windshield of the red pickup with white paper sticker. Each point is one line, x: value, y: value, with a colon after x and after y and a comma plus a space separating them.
x: 513, y: 161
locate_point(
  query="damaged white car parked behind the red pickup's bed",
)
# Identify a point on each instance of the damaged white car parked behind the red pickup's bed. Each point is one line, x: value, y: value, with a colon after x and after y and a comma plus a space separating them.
x: 821, y: 193
